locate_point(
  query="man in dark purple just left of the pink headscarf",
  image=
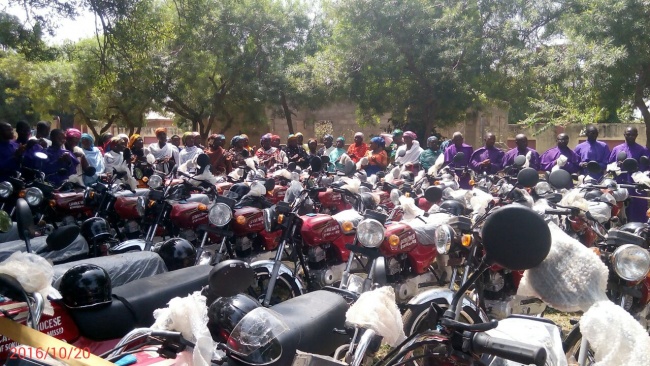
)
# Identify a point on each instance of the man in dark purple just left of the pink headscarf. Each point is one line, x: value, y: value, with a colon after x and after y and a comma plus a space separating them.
x: 58, y: 160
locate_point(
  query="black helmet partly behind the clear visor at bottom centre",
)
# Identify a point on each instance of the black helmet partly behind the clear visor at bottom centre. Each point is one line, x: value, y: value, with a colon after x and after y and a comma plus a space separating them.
x: 225, y: 312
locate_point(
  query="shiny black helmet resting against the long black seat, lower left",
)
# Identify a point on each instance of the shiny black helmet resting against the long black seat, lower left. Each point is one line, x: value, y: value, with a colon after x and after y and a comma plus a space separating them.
x: 85, y: 285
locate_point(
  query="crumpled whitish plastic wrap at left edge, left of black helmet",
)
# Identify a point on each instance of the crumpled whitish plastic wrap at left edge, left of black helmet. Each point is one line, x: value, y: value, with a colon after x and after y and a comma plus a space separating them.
x: 34, y: 274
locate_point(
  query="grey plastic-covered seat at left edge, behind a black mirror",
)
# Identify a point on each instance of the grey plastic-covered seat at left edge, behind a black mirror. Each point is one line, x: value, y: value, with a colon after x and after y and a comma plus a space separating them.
x: 79, y: 247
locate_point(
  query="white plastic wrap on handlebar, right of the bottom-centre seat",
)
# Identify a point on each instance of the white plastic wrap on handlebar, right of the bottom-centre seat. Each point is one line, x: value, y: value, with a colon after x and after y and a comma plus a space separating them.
x: 378, y: 311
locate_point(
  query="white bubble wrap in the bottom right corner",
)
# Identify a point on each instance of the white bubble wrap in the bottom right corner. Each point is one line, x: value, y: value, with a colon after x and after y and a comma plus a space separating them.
x: 616, y: 337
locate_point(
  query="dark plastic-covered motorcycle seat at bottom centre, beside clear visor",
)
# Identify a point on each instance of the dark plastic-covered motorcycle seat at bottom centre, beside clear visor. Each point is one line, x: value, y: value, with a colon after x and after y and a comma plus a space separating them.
x: 311, y: 319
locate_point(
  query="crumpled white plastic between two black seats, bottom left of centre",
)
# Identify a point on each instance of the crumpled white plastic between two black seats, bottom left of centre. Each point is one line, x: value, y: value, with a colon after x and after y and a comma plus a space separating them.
x: 189, y: 316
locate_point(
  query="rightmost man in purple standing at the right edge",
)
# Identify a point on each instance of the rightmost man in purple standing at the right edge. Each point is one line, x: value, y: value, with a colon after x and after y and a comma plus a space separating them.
x: 636, y: 209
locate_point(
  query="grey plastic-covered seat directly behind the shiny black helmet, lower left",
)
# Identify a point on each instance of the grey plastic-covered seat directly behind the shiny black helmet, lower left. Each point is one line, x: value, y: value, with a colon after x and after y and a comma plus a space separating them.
x: 121, y: 268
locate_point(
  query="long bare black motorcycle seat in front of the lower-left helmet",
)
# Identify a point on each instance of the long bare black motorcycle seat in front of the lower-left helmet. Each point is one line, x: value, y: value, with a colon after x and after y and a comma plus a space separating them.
x: 134, y: 303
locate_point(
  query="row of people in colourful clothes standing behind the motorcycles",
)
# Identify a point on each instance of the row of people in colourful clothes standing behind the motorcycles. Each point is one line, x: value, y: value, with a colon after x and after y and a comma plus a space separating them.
x: 71, y: 152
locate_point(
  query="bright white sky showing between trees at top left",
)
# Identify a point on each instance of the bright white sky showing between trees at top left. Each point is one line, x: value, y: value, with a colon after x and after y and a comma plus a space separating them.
x: 68, y: 30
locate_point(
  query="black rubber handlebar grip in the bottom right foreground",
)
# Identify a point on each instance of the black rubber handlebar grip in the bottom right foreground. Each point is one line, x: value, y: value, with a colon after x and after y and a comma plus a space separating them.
x: 511, y: 350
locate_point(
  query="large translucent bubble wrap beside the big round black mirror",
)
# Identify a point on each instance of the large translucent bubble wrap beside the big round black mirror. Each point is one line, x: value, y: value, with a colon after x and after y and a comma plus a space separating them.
x: 571, y: 278
